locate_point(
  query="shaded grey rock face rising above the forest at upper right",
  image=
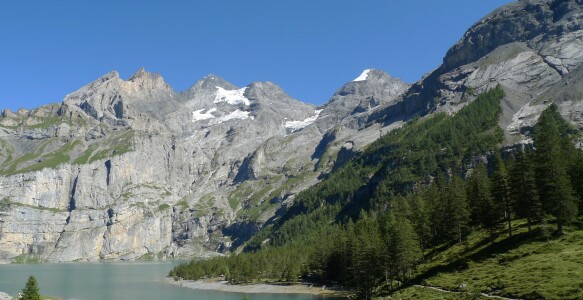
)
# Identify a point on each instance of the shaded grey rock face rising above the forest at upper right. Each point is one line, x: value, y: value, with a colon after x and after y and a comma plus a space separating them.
x: 527, y: 47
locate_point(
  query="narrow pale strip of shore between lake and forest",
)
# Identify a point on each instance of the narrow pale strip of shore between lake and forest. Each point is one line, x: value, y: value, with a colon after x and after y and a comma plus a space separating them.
x: 217, y: 284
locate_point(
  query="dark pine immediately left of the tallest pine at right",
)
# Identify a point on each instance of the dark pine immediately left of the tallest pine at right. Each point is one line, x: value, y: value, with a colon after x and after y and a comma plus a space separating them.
x: 523, y: 190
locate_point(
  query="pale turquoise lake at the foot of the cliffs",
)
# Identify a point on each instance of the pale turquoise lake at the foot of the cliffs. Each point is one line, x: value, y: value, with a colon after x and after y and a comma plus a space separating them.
x: 114, y: 280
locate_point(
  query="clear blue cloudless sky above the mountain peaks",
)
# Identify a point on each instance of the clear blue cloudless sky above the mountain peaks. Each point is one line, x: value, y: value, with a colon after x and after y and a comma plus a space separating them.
x: 308, y: 47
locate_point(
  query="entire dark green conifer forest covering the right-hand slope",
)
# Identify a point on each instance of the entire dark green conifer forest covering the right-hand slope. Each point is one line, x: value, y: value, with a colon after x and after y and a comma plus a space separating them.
x: 377, y: 224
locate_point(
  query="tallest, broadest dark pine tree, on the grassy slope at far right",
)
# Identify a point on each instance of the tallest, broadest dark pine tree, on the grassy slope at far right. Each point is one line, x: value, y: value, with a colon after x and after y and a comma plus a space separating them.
x: 555, y: 190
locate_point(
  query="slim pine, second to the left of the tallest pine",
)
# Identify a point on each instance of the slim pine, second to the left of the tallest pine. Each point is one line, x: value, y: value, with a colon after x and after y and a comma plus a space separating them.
x: 501, y: 189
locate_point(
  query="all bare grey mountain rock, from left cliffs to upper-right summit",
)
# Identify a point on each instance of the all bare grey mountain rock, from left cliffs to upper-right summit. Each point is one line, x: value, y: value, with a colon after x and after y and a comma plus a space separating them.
x: 127, y: 169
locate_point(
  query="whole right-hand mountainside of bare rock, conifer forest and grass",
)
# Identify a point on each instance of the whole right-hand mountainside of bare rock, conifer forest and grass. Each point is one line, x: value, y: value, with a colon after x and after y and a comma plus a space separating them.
x: 428, y: 185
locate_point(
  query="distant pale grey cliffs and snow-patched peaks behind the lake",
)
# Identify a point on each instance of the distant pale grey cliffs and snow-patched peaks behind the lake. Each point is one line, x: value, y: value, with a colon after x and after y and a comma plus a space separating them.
x: 124, y: 169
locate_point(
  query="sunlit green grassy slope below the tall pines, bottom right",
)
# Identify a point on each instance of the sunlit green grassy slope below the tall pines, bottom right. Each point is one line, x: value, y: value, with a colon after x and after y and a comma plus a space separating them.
x: 532, y: 265
